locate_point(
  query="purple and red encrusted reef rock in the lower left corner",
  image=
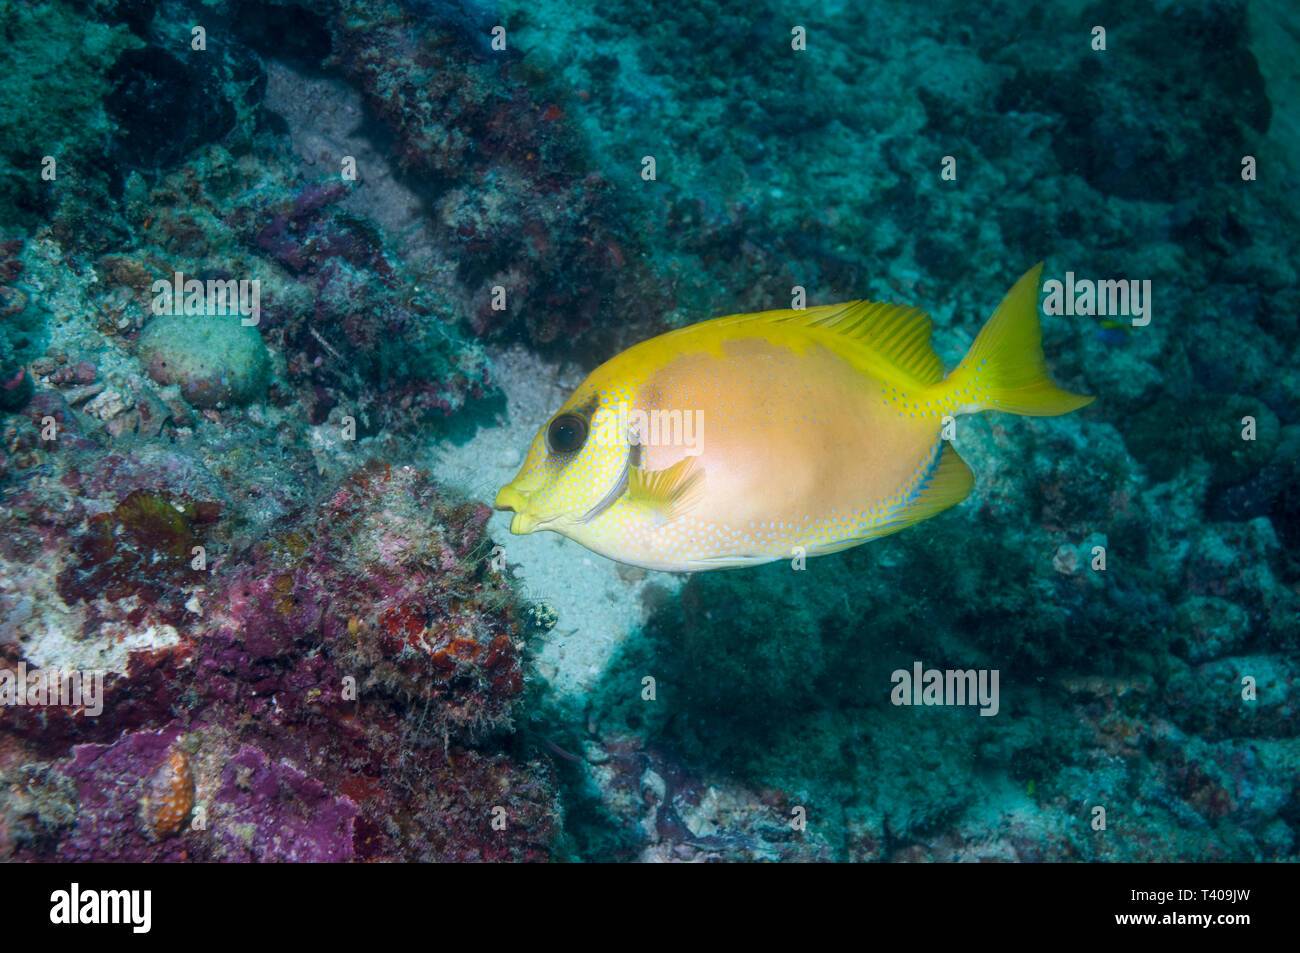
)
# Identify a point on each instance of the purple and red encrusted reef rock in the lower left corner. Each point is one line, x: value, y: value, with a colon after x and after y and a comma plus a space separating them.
x: 344, y: 692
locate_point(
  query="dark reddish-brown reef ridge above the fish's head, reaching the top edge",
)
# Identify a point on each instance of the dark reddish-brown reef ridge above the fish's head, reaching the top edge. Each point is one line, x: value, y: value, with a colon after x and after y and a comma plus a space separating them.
x: 519, y: 205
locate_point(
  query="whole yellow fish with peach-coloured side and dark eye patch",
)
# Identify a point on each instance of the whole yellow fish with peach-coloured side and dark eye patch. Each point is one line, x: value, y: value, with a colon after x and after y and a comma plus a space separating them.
x: 760, y: 437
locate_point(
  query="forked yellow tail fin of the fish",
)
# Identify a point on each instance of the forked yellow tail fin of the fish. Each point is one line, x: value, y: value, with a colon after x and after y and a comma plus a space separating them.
x: 1006, y: 369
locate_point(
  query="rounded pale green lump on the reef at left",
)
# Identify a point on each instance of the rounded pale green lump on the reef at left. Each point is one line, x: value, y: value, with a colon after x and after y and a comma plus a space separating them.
x: 216, y: 361
